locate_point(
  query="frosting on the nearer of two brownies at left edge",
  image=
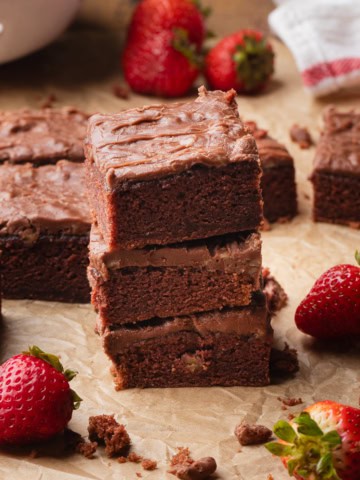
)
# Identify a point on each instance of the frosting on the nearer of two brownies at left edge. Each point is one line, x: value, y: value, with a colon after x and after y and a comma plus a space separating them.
x: 48, y: 199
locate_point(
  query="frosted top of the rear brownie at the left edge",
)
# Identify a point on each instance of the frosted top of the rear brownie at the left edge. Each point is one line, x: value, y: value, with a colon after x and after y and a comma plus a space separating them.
x: 42, y: 136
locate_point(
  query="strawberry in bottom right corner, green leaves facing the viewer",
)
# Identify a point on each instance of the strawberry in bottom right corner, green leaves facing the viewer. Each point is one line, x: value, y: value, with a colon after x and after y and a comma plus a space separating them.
x: 323, y: 442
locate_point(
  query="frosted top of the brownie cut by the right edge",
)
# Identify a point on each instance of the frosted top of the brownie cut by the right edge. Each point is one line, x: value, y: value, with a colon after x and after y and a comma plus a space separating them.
x: 338, y: 150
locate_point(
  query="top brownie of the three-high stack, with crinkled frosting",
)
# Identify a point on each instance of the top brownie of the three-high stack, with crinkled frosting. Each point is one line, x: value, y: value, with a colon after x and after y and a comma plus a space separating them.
x: 170, y: 173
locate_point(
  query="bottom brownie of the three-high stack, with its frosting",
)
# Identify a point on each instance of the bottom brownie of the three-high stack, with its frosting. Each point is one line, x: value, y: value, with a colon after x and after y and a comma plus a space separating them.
x: 226, y: 347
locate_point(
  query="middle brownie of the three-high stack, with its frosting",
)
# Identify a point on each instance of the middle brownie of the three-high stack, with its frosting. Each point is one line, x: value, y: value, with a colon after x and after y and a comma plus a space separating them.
x: 166, y: 281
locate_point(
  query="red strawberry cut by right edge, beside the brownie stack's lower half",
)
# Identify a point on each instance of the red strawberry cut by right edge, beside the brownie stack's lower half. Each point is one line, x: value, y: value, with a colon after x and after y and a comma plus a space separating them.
x: 332, y: 307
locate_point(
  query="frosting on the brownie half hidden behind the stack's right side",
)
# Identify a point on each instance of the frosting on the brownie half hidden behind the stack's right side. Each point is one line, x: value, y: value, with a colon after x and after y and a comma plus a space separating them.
x: 271, y: 152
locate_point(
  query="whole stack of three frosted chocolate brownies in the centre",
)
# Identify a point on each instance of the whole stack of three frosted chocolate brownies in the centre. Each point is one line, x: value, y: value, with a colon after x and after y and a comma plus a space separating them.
x: 175, y: 253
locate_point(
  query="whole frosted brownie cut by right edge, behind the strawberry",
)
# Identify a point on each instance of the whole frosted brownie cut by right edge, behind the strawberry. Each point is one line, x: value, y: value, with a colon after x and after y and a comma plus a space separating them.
x: 336, y: 173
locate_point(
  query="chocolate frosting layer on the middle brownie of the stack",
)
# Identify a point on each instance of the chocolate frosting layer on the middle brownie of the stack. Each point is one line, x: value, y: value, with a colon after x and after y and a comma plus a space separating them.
x: 239, y: 253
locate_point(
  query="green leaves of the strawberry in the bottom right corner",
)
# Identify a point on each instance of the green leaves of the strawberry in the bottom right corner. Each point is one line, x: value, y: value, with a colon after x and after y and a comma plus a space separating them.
x: 306, y: 450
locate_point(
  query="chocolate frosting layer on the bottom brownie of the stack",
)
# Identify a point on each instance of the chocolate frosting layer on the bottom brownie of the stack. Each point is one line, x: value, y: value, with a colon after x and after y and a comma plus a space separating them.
x: 245, y: 321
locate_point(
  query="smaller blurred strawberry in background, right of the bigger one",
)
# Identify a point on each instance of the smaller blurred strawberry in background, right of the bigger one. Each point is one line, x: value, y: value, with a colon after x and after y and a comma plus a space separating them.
x: 243, y: 61
